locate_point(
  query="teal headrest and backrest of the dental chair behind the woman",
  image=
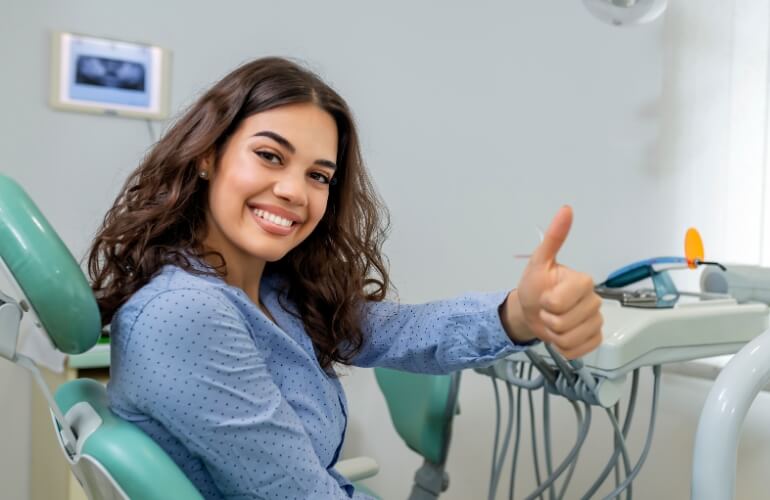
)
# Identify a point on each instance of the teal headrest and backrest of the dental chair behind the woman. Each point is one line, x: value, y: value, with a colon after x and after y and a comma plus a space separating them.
x: 112, y: 458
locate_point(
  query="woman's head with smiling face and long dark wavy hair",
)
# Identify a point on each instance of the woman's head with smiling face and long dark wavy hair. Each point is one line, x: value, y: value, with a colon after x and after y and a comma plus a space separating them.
x: 267, y: 121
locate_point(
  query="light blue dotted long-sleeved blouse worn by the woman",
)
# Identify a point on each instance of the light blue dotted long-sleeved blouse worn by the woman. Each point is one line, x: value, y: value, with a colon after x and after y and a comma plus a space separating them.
x: 242, y: 405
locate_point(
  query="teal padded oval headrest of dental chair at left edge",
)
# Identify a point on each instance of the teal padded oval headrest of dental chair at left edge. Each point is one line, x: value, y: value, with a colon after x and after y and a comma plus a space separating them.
x: 47, y: 273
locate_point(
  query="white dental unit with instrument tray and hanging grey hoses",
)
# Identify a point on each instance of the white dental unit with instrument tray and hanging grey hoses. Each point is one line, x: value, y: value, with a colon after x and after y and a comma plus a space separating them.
x: 645, y: 326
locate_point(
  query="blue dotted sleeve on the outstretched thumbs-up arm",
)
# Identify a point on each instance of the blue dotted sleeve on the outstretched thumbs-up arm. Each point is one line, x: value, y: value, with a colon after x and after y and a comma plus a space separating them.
x: 436, y: 337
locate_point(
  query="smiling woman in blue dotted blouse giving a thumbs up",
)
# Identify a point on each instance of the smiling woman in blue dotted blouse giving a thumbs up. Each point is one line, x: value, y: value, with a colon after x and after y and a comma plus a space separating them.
x: 241, y: 262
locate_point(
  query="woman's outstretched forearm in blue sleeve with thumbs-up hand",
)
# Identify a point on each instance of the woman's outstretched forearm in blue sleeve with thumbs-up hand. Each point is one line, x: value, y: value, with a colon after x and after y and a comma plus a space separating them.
x: 552, y: 303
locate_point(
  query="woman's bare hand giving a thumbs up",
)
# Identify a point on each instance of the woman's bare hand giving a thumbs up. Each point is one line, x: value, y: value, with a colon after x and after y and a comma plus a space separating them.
x: 552, y: 302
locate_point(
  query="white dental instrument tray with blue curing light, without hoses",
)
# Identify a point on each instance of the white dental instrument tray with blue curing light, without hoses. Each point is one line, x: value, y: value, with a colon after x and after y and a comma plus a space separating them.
x: 651, y: 326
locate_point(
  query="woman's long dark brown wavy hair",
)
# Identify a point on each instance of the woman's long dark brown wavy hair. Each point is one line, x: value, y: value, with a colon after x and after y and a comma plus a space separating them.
x: 158, y: 217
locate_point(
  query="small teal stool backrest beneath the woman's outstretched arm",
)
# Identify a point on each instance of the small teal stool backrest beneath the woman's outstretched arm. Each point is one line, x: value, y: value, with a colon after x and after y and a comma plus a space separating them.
x: 421, y: 408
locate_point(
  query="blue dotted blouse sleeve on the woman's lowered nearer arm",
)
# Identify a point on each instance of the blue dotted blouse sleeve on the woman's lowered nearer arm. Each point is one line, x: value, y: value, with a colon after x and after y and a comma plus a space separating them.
x: 206, y: 381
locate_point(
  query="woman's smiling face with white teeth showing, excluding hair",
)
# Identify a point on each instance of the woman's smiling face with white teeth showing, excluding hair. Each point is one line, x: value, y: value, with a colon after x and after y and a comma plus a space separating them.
x: 271, y: 184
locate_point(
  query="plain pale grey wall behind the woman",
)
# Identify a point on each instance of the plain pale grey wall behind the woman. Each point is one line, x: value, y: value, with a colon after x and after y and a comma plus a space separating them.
x: 478, y: 121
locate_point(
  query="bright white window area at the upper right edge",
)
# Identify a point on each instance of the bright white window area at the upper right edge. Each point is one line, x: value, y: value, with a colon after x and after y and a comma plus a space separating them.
x: 713, y: 153
